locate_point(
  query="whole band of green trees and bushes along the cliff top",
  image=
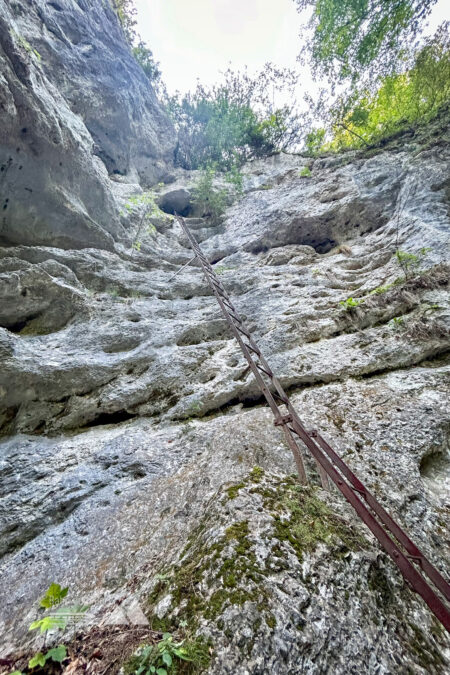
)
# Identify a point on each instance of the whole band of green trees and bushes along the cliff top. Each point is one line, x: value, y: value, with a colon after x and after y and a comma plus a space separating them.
x: 392, y: 80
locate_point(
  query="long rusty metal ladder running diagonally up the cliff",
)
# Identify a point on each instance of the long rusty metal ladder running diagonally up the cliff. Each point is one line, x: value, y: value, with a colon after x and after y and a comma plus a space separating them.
x: 406, y: 555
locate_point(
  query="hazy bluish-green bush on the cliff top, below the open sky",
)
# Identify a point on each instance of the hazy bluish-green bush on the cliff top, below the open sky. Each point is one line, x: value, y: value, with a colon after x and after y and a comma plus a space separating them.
x: 234, y: 121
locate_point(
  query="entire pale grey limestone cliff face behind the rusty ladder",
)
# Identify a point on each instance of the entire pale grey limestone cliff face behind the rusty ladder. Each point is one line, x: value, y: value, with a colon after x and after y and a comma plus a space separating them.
x: 131, y: 427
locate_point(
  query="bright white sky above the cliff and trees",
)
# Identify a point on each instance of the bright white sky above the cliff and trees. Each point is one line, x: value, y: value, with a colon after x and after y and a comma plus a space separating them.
x: 199, y: 38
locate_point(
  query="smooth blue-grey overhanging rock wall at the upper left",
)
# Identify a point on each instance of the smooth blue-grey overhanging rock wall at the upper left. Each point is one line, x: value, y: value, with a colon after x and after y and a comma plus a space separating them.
x: 75, y: 107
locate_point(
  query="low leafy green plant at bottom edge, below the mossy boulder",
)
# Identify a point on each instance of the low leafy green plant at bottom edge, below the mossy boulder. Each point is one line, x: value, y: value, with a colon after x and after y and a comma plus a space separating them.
x: 167, y: 657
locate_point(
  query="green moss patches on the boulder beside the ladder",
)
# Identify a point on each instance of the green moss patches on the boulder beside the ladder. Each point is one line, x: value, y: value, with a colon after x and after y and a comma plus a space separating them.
x: 216, y: 573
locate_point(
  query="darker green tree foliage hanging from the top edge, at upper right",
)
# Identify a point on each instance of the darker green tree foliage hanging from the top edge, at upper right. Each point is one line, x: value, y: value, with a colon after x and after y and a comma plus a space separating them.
x: 354, y: 37
